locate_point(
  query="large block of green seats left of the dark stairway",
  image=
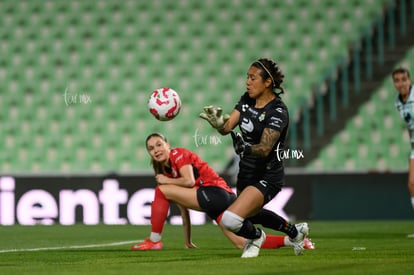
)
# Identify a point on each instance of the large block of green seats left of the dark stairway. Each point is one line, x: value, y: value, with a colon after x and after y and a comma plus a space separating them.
x: 118, y: 52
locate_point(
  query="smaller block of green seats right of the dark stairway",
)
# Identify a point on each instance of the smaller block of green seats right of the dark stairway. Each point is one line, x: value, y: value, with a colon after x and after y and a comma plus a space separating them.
x: 383, y: 143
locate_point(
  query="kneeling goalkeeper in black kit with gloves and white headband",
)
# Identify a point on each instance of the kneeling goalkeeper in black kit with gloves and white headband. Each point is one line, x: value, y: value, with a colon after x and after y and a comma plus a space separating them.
x: 263, y: 119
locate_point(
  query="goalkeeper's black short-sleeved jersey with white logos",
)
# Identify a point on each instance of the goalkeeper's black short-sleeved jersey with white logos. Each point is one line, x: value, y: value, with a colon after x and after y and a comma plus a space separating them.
x: 252, y: 123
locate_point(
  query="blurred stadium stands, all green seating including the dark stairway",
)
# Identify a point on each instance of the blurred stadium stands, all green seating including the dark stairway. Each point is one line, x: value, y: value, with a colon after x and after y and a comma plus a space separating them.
x: 75, y: 77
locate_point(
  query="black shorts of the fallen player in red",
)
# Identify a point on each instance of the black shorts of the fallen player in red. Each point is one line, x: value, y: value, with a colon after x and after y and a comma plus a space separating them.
x: 214, y: 200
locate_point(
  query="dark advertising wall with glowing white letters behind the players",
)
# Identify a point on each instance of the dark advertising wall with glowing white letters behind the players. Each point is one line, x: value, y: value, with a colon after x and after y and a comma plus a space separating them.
x: 126, y: 199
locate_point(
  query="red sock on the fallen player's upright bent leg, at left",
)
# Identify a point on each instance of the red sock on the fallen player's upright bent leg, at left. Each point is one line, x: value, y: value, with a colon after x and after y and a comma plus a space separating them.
x: 159, y: 211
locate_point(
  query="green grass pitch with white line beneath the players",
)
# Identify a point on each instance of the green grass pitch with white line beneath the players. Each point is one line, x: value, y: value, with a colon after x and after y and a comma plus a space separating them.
x: 345, y: 247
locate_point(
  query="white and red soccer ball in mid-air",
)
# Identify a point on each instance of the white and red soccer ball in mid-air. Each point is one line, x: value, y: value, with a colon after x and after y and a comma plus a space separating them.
x: 164, y: 104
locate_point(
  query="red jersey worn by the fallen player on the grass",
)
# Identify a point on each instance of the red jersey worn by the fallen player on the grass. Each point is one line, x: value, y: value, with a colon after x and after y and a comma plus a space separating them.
x: 204, y: 175
